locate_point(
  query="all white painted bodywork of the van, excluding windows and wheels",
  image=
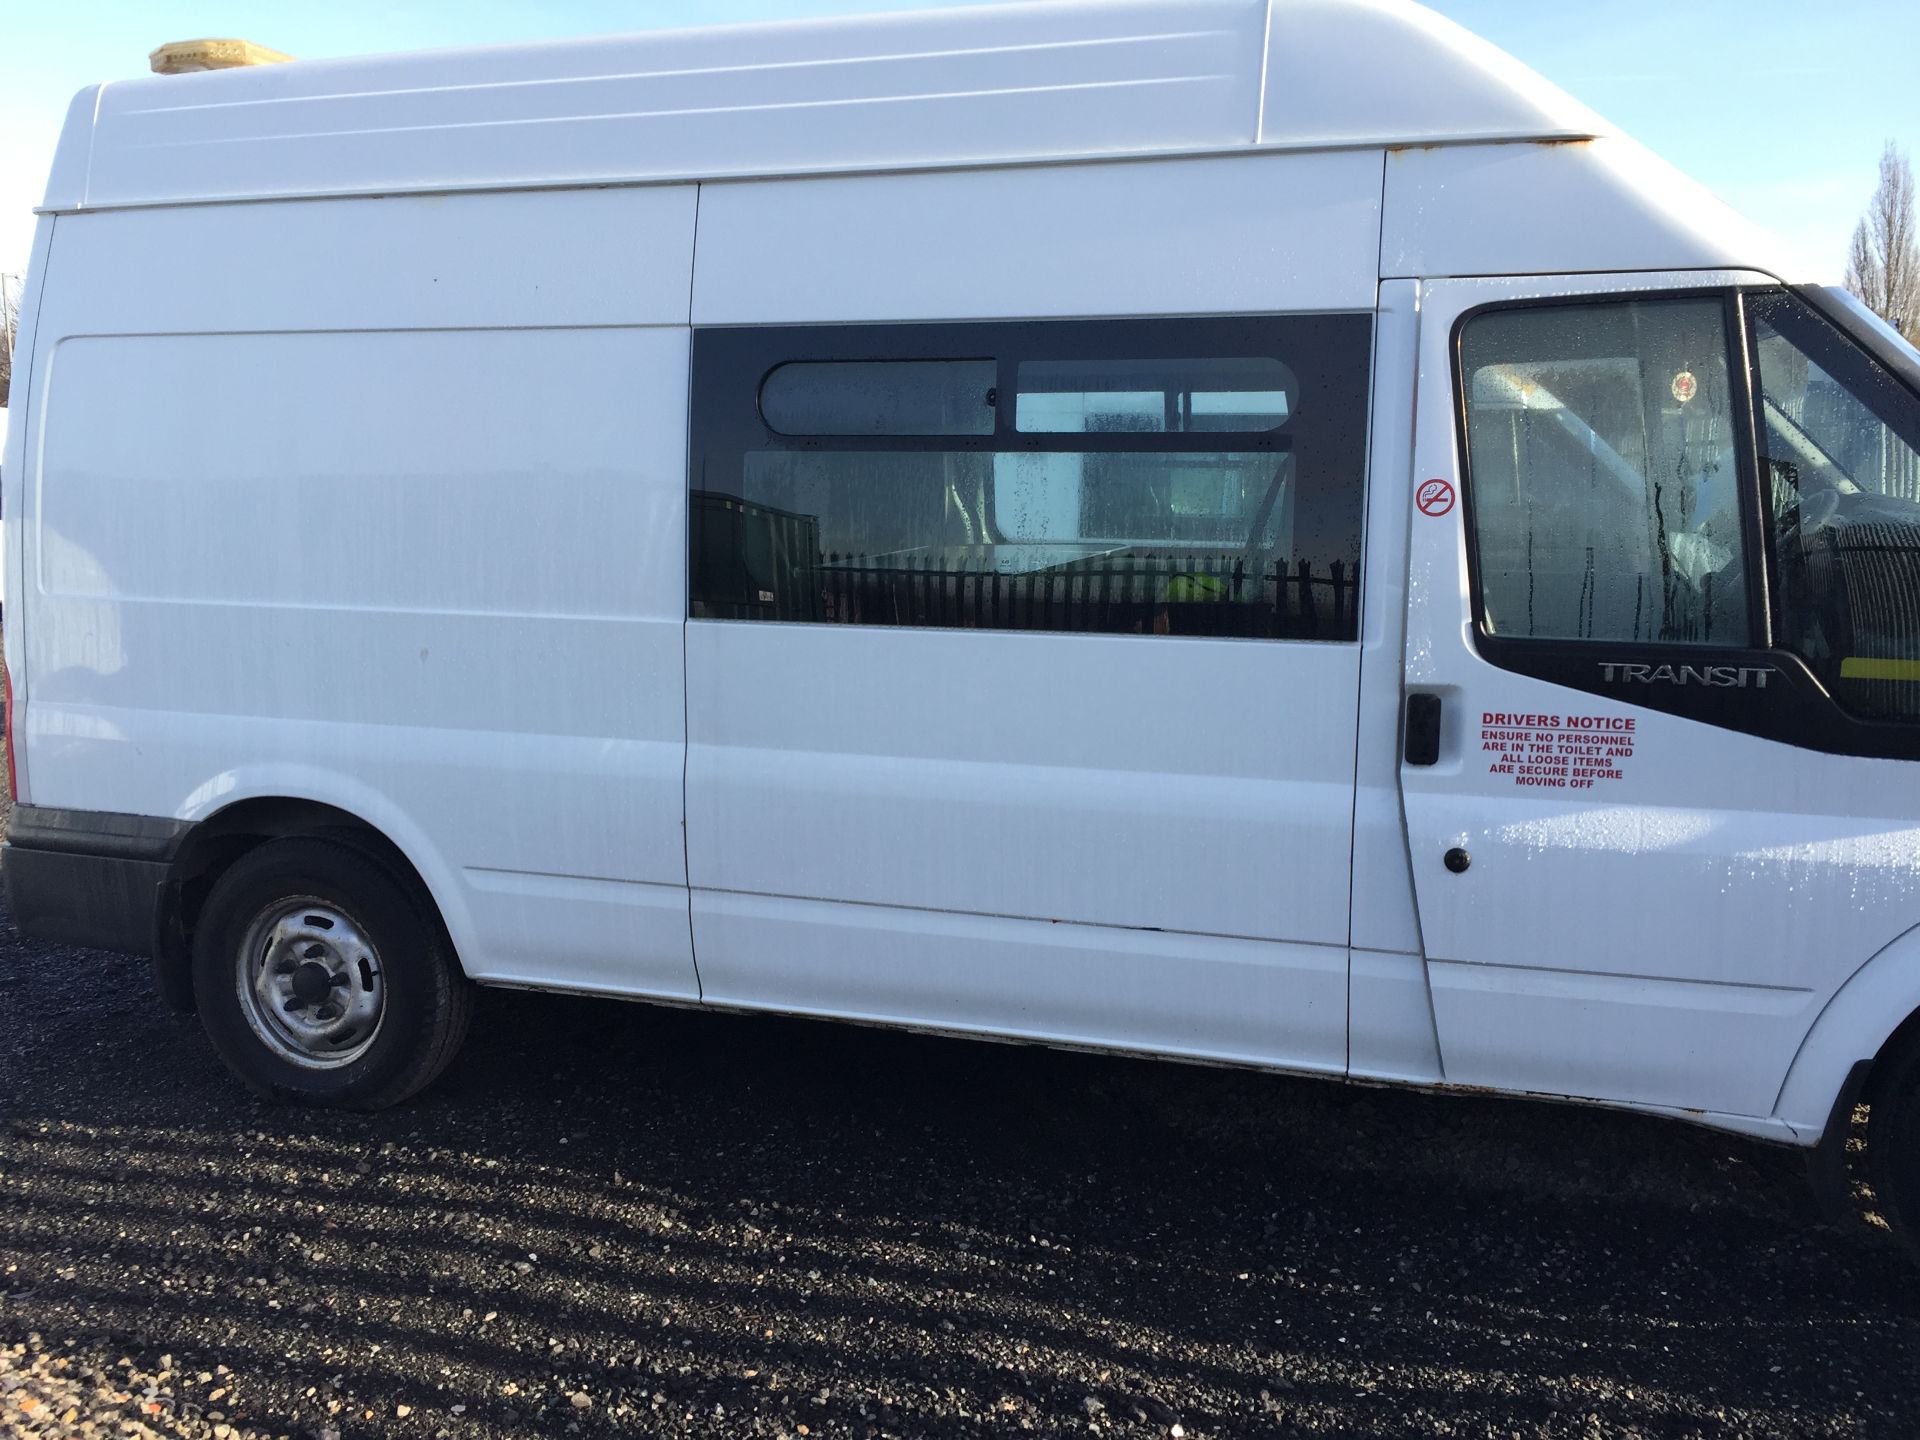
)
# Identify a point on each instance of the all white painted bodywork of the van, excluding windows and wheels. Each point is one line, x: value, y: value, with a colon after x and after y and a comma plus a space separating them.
x: 373, y: 491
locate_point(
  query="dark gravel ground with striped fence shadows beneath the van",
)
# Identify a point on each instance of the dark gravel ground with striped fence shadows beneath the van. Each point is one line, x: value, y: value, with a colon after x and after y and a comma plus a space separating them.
x: 617, y: 1220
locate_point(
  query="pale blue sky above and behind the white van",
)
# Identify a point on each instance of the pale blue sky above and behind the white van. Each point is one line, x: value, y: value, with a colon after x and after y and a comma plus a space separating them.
x: 1779, y: 105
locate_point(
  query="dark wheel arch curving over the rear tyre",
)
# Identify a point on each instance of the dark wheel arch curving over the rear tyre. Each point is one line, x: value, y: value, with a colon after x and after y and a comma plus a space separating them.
x: 212, y: 848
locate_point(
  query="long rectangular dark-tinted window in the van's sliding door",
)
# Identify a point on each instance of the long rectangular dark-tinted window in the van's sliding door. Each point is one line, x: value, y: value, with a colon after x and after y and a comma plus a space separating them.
x: 1130, y: 477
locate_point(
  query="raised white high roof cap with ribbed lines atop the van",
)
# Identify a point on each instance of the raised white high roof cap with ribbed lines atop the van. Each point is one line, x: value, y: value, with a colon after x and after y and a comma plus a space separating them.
x: 1020, y: 84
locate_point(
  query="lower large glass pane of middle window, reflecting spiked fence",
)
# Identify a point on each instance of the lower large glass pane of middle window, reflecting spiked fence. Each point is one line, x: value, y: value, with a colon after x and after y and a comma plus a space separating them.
x: 1113, y: 542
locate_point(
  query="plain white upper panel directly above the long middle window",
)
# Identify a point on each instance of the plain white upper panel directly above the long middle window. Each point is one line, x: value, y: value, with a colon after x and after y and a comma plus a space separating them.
x: 1189, y: 237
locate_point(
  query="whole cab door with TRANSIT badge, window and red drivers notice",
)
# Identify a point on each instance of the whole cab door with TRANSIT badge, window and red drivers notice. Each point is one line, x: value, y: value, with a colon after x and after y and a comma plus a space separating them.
x: 1656, y: 834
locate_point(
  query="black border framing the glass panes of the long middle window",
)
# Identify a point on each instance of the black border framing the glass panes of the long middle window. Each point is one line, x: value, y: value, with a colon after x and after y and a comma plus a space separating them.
x: 731, y: 366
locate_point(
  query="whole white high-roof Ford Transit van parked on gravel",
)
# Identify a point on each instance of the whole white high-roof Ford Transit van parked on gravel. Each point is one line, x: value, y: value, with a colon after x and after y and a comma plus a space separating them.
x: 1249, y: 531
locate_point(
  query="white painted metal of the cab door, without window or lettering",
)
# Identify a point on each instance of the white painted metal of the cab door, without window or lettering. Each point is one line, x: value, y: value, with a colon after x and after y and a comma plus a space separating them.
x: 1671, y: 938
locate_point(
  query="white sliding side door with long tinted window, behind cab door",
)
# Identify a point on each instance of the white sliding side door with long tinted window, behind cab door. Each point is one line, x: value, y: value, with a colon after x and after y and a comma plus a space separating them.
x: 1024, y: 675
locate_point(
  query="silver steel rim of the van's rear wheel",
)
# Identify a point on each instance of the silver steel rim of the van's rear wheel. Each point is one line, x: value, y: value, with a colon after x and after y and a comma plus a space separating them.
x: 310, y: 984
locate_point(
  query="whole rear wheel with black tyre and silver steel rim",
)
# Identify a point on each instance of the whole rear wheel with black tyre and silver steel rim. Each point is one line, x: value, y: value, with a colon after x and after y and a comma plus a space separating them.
x: 324, y: 980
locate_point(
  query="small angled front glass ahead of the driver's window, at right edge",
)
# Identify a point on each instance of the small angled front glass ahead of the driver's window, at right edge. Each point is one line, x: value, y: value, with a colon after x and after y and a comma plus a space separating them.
x: 1840, y: 448
